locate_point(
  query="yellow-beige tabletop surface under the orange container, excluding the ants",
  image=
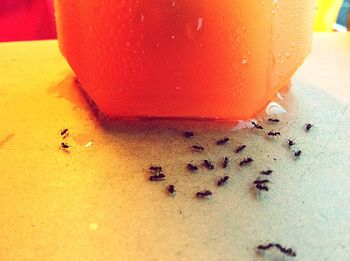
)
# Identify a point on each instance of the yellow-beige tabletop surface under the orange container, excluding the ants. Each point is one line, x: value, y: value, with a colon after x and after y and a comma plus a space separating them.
x: 95, y: 202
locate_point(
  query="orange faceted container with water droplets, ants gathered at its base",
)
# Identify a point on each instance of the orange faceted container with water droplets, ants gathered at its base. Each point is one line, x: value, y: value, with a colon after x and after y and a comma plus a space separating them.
x: 221, y: 59
